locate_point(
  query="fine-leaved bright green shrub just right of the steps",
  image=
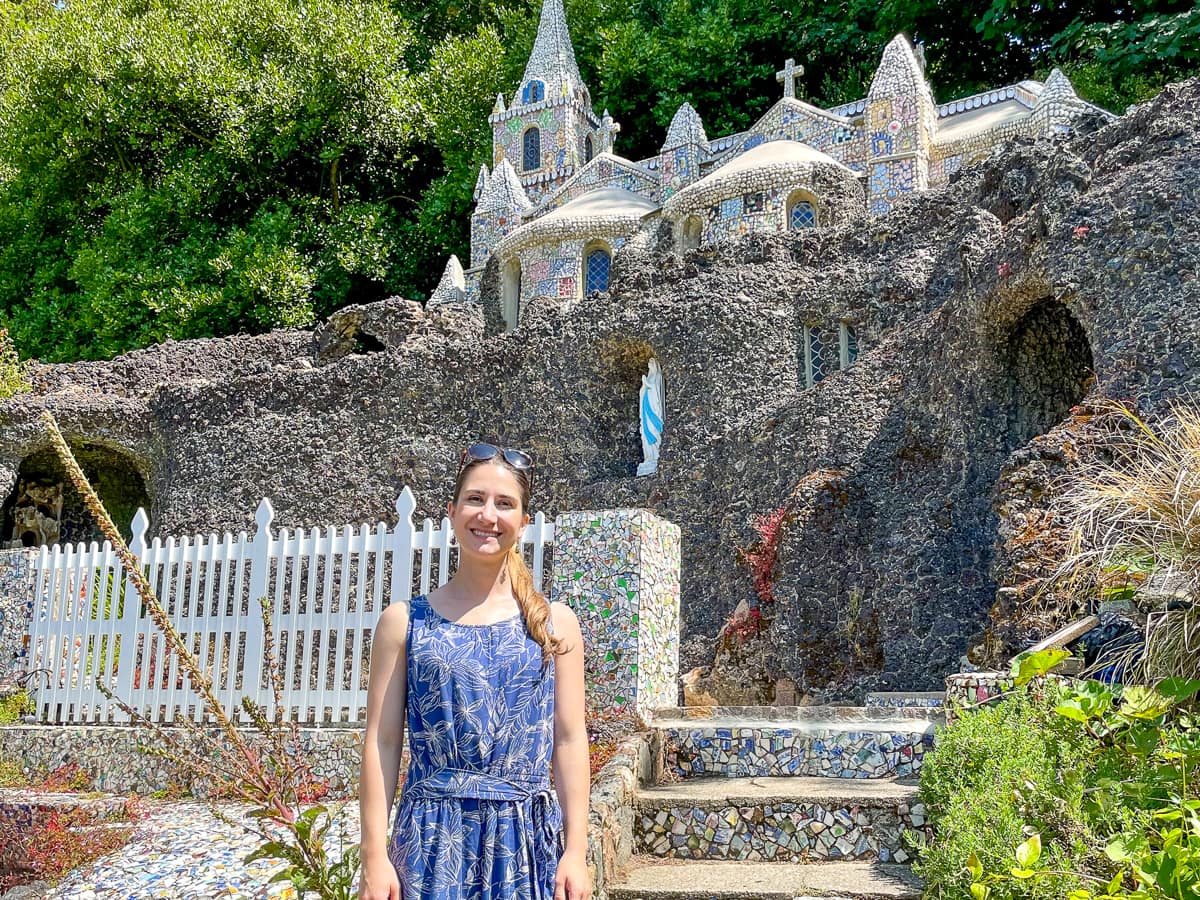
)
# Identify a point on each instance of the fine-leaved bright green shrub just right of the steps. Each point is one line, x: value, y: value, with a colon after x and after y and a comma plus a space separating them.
x: 994, y: 776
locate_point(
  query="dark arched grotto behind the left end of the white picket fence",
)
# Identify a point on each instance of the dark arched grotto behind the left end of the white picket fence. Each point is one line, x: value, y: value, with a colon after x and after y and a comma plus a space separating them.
x: 45, y: 508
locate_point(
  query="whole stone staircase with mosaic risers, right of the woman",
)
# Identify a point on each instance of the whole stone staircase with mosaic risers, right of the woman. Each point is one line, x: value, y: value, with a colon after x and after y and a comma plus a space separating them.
x: 775, y: 803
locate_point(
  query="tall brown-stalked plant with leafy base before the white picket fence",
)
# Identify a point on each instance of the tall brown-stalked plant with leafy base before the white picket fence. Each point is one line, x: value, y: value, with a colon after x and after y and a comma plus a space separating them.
x: 267, y: 769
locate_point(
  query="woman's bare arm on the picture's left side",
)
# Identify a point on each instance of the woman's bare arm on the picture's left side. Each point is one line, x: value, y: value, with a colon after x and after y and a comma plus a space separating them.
x: 382, y: 747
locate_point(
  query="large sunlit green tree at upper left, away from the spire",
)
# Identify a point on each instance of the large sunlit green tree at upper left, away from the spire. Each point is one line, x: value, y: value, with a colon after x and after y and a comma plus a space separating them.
x: 197, y: 167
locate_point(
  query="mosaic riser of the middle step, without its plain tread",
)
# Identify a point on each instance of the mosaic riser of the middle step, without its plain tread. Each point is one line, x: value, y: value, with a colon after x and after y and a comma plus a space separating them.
x: 781, y: 831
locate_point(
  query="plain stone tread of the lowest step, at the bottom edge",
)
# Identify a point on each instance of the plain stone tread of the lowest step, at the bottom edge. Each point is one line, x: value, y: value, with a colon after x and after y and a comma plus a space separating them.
x: 675, y: 880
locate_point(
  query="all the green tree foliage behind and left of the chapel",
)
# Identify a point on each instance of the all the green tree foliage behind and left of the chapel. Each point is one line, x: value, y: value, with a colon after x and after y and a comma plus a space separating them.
x: 201, y: 167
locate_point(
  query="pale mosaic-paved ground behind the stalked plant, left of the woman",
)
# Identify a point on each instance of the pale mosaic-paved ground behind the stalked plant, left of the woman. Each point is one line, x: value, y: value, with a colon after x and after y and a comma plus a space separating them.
x: 184, y: 853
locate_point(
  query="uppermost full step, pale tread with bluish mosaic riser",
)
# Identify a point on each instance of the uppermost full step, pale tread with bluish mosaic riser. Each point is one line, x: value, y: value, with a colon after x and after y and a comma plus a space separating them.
x: 826, y: 742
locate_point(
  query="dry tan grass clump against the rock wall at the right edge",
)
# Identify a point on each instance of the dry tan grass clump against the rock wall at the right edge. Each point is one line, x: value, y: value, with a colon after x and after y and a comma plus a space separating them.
x: 1136, y: 517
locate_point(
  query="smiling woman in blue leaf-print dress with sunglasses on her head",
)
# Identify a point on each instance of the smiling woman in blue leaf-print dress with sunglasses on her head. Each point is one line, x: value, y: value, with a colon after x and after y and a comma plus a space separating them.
x: 490, y: 679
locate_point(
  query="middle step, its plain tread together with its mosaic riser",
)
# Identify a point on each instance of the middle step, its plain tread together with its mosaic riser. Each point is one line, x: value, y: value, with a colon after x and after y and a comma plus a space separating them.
x: 778, y: 819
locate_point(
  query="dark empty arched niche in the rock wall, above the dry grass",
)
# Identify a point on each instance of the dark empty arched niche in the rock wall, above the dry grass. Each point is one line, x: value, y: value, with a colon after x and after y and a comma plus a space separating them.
x: 1049, y: 370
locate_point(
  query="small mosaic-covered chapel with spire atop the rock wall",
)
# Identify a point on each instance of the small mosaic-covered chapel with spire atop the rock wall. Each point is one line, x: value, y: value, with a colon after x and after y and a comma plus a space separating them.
x: 559, y: 201
